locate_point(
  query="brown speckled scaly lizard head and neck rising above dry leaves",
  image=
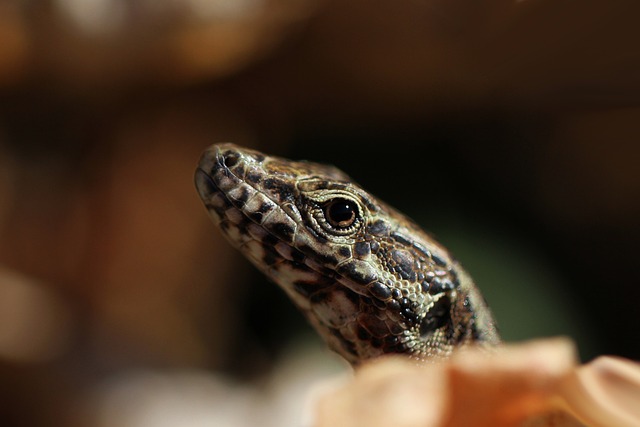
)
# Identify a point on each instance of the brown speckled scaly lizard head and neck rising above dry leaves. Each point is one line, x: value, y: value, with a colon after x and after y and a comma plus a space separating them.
x: 368, y: 279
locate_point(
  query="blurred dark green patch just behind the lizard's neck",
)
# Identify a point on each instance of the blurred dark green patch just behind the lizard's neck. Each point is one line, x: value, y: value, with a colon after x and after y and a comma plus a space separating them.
x: 525, y: 289
